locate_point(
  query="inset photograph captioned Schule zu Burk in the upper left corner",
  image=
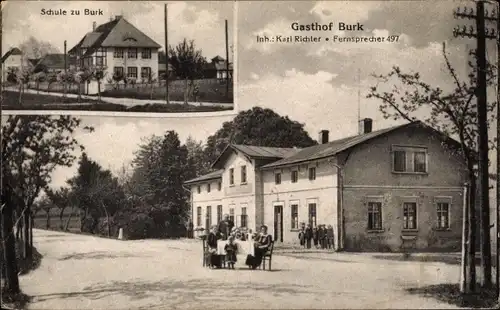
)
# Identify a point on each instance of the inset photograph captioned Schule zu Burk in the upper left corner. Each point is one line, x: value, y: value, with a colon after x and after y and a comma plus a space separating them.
x: 111, y: 56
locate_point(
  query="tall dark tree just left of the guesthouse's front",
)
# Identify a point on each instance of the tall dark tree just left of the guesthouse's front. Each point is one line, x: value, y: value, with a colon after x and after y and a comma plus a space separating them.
x: 160, y: 169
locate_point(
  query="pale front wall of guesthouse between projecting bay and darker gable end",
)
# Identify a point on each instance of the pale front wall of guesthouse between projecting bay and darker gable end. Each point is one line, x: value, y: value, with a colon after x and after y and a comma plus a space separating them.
x: 322, y: 191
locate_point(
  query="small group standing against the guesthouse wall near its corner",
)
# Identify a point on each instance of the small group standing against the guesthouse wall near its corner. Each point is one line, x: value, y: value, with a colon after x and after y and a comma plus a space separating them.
x: 321, y: 236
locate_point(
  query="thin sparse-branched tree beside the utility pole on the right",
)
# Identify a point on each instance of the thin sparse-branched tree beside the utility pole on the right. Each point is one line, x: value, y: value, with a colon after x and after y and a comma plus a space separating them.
x: 453, y: 113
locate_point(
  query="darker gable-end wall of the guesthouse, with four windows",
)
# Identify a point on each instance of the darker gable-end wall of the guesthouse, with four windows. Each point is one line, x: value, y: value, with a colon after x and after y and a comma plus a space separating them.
x: 368, y: 177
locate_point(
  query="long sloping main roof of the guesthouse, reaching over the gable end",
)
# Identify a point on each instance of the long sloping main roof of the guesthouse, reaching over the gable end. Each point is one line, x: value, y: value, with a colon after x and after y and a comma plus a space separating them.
x: 333, y: 148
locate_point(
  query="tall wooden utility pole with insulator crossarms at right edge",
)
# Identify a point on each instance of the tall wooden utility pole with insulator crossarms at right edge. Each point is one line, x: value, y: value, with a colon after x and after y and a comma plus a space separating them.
x: 483, y: 180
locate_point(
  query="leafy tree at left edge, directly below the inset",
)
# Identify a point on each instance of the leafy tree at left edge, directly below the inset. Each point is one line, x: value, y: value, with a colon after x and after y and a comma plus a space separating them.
x: 32, y: 147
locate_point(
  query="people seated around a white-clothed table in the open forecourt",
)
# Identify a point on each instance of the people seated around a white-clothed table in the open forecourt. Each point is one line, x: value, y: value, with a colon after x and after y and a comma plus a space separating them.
x: 226, y: 231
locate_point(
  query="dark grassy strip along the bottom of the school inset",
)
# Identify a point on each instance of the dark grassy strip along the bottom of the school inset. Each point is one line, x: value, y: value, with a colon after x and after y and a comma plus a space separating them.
x: 10, y: 101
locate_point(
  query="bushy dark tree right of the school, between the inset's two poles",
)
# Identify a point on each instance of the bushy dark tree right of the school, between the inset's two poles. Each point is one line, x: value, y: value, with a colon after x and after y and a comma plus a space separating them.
x: 187, y: 63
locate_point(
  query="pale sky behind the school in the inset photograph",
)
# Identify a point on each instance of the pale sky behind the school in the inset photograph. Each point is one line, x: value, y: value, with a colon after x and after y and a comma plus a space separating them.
x: 202, y: 22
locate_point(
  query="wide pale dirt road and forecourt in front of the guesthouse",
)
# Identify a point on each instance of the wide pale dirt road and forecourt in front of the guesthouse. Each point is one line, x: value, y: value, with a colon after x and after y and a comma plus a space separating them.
x: 84, y: 272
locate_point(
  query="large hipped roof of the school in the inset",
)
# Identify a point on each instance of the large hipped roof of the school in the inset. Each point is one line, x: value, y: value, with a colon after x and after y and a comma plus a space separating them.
x: 116, y: 33
